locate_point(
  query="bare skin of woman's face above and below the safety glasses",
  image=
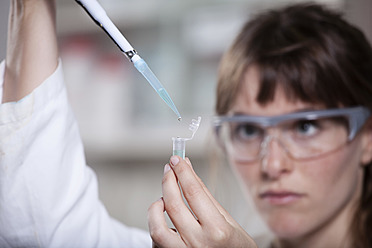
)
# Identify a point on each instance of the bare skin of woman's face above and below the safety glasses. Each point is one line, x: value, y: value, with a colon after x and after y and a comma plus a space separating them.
x: 296, y: 198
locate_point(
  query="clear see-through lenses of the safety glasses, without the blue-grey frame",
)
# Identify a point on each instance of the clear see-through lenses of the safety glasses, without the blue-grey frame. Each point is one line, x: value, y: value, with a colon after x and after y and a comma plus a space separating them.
x: 301, y: 138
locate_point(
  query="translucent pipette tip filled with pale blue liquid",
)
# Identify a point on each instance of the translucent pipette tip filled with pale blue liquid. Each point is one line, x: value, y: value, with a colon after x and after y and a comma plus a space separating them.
x: 144, y: 69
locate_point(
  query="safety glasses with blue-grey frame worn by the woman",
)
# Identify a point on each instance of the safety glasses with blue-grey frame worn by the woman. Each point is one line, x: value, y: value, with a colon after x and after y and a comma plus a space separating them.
x: 303, y: 135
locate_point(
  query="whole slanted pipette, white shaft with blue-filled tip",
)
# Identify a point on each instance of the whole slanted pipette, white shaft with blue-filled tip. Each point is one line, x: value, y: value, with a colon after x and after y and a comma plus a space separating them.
x: 98, y: 14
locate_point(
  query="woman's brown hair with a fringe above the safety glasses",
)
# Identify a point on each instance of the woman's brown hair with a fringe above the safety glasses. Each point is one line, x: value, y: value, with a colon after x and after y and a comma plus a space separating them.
x: 316, y: 57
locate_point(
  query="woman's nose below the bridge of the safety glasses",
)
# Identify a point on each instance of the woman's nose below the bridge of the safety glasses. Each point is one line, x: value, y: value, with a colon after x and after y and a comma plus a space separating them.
x: 274, y: 159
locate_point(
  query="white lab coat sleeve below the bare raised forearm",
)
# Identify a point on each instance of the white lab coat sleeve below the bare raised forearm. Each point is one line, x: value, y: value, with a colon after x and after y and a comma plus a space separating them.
x: 48, y: 196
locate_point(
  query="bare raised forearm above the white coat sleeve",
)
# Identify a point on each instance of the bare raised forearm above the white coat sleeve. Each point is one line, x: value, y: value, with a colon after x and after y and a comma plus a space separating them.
x: 32, y: 50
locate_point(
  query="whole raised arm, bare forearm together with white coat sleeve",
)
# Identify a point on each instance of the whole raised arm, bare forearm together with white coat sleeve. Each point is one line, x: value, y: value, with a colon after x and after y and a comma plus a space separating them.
x: 48, y: 195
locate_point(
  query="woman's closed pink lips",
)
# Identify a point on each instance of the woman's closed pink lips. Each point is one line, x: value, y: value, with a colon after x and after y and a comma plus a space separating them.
x: 280, y: 197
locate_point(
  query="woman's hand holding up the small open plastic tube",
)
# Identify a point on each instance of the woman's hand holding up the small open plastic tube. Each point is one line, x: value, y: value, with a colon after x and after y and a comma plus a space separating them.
x: 212, y: 226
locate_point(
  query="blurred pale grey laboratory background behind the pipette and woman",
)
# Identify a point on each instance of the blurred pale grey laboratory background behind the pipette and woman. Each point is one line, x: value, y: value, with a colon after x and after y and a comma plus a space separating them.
x: 125, y: 126
